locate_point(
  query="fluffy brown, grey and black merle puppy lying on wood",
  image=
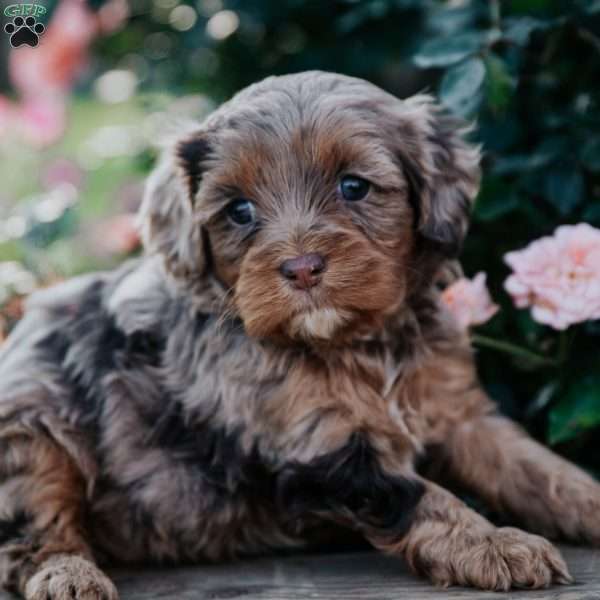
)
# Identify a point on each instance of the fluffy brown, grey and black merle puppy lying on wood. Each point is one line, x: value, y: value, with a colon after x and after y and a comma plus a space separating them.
x: 266, y: 375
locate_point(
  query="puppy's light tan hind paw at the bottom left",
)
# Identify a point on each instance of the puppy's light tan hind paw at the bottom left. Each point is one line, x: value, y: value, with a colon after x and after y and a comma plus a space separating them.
x: 69, y: 577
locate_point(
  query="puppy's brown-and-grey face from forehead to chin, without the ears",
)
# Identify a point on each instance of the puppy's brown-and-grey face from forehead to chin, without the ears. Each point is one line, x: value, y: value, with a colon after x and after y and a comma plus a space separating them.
x: 308, y: 220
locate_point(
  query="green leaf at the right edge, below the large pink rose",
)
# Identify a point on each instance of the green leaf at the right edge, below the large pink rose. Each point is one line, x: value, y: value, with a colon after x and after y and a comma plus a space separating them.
x: 578, y: 410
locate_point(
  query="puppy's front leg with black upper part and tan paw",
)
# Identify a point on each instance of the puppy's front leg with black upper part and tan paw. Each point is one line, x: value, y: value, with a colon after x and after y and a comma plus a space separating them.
x: 372, y: 488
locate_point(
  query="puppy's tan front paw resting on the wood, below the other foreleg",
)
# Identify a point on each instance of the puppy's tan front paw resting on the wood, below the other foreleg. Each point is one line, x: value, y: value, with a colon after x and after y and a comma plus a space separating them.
x: 501, y: 560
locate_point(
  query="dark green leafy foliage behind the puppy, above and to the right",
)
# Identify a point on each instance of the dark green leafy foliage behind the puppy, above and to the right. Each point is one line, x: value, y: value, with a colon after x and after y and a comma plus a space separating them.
x: 526, y: 71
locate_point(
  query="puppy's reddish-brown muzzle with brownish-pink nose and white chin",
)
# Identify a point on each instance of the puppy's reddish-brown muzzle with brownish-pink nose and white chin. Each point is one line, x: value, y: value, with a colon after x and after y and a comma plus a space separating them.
x: 331, y: 297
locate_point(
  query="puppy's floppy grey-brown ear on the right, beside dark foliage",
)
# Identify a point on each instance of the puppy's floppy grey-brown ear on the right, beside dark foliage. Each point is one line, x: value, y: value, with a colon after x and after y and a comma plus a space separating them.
x: 443, y: 172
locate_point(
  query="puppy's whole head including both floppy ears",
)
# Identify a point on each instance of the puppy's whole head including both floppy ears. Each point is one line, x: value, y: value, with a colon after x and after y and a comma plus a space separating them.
x: 305, y: 197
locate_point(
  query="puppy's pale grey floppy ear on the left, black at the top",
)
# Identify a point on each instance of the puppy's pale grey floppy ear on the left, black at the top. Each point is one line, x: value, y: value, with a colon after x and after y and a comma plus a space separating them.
x: 168, y: 223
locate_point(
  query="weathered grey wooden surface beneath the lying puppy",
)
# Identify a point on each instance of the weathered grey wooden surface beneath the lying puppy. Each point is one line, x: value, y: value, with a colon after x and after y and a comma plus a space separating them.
x: 352, y: 576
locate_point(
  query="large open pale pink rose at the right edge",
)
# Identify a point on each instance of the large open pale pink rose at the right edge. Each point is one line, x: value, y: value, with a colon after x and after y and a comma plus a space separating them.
x: 558, y: 276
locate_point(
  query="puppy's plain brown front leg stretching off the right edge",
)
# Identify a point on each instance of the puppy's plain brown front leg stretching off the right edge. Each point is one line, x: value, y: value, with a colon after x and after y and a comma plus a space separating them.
x: 516, y: 475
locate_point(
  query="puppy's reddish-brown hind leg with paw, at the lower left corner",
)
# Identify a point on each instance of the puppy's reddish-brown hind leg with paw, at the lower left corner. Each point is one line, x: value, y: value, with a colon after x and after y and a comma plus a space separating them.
x: 43, y: 551
